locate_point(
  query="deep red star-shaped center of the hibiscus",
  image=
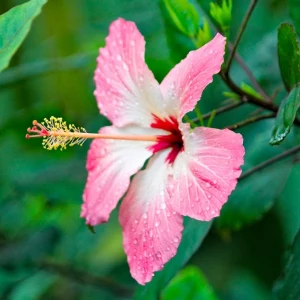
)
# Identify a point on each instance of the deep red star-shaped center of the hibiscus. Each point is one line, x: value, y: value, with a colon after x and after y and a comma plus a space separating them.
x: 173, y: 140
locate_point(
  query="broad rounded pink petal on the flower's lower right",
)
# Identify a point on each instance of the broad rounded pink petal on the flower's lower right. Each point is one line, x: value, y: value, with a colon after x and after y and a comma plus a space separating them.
x: 206, y: 172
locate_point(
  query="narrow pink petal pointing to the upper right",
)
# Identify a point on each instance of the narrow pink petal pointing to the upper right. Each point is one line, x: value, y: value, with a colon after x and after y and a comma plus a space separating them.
x: 187, y: 80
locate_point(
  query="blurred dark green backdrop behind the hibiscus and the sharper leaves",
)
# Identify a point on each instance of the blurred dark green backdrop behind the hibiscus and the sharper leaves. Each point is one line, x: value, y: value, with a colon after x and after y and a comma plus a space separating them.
x: 42, y: 238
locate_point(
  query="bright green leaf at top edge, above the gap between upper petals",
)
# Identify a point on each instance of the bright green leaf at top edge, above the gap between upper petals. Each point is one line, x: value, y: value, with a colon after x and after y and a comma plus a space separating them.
x: 184, y: 16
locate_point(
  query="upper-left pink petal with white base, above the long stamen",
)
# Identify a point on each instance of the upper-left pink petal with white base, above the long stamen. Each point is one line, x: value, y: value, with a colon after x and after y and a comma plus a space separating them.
x: 126, y: 90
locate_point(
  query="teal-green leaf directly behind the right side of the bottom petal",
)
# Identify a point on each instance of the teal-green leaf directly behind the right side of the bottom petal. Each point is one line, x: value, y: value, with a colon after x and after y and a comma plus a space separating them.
x: 193, y: 235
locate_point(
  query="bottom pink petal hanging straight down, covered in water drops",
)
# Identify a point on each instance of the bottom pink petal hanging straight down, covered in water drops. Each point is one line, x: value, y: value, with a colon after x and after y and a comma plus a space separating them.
x: 151, y: 229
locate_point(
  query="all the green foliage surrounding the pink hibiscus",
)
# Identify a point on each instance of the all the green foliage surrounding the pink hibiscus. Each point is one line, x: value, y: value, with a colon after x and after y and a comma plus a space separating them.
x: 43, y: 242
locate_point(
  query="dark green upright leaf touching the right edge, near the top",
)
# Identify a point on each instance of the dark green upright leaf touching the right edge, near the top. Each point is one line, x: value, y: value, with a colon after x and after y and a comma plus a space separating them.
x: 288, y: 55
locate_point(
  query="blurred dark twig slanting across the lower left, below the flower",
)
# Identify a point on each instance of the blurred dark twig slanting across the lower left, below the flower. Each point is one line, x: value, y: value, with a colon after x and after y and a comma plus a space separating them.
x: 87, y: 278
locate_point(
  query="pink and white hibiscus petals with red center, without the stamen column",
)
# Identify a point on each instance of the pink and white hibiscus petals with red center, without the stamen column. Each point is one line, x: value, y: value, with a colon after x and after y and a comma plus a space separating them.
x: 188, y: 173
